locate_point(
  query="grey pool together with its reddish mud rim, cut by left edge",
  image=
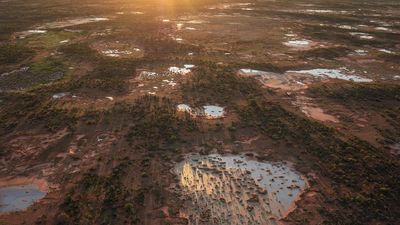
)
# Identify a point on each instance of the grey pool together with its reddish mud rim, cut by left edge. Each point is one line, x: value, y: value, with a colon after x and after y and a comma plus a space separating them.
x: 19, y: 193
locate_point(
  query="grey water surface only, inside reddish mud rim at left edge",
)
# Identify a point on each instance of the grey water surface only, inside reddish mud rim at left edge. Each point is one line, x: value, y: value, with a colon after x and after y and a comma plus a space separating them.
x: 20, y: 197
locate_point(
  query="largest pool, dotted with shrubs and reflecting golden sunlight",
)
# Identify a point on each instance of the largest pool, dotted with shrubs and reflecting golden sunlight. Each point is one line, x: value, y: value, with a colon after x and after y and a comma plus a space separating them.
x: 236, y: 190
